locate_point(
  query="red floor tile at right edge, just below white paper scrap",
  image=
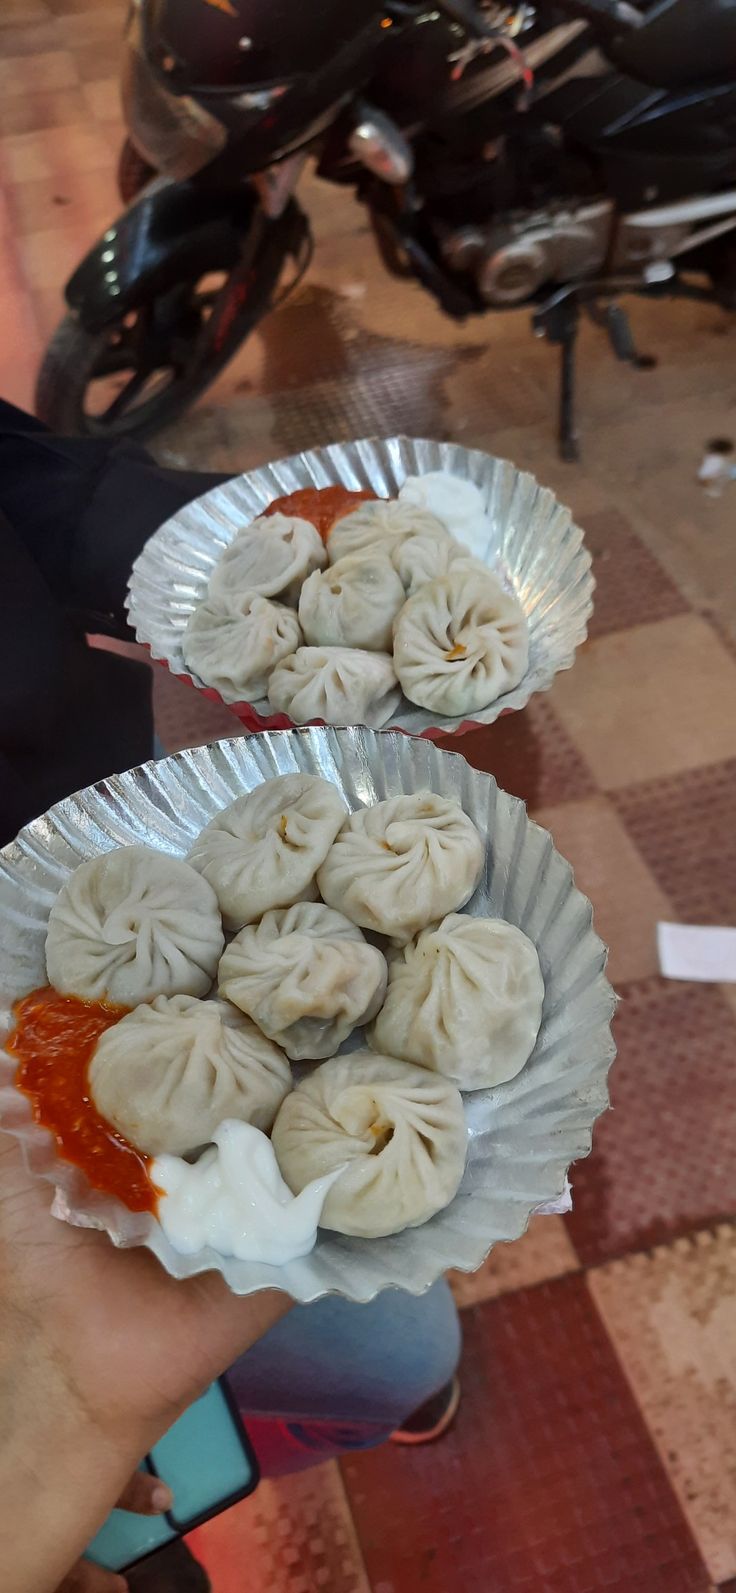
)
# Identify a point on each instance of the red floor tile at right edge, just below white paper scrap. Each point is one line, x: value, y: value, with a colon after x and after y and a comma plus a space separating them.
x: 664, y: 1159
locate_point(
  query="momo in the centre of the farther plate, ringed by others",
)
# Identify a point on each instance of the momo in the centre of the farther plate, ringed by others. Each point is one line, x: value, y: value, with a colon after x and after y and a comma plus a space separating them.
x: 353, y: 605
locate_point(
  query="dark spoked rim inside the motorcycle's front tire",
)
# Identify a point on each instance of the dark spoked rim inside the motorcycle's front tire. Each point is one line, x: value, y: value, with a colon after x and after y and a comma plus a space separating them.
x: 151, y: 356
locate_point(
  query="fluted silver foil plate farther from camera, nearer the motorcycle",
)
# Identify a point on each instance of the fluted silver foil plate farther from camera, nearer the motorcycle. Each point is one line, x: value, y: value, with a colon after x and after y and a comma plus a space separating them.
x: 534, y: 547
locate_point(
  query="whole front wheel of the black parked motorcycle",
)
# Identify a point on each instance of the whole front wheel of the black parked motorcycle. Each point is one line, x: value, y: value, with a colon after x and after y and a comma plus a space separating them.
x: 147, y: 369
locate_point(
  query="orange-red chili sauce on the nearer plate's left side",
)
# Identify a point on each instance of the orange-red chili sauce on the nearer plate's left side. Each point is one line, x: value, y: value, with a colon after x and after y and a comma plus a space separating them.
x: 55, y: 1041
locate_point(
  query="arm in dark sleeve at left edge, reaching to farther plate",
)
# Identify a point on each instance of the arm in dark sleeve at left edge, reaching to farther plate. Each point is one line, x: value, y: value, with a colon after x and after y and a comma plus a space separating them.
x: 74, y: 517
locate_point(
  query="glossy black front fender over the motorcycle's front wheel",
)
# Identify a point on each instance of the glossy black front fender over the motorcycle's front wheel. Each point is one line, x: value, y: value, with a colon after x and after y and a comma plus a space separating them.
x: 176, y: 232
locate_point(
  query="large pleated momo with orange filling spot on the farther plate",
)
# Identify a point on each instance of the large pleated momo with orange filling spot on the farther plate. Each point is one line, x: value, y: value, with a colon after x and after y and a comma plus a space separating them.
x: 461, y: 641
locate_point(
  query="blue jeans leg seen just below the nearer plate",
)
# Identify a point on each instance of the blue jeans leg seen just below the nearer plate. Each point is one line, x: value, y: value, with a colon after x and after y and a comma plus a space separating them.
x: 334, y: 1377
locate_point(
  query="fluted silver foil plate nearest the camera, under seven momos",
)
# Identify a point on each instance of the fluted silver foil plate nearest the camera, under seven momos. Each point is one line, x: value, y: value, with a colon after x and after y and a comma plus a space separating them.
x: 523, y: 1135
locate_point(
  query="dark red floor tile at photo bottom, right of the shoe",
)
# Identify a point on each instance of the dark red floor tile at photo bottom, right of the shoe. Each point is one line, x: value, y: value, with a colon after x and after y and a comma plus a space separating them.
x: 549, y: 1482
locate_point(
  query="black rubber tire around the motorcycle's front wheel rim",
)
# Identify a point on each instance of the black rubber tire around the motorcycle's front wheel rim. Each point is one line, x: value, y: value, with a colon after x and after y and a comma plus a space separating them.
x: 77, y: 358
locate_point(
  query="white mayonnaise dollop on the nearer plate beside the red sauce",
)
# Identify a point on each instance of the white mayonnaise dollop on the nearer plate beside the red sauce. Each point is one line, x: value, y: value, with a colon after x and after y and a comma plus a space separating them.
x: 237, y: 1200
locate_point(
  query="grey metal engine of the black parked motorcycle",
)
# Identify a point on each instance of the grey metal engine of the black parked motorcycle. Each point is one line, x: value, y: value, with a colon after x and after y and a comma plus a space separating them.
x: 512, y: 259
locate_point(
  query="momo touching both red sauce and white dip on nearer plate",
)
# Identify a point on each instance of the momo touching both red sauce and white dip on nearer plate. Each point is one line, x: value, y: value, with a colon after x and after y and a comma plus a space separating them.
x: 166, y: 1076
